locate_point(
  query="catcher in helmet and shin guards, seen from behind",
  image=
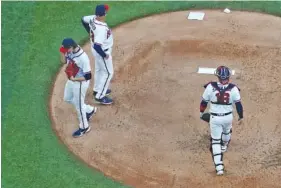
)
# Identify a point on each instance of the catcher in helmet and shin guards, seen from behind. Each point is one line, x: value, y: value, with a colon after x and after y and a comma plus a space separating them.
x: 221, y: 95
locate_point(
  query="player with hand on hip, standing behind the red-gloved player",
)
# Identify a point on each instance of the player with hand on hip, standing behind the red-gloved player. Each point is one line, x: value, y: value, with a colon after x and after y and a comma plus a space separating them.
x: 101, y: 41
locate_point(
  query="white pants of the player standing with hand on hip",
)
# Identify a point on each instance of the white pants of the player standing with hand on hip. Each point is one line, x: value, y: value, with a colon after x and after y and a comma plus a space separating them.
x: 103, y: 73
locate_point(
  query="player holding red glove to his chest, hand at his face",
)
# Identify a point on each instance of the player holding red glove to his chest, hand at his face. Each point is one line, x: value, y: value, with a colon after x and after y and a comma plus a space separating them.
x: 78, y: 72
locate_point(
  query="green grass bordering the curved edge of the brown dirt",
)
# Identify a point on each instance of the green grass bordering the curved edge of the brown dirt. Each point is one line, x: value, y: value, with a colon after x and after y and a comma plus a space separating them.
x: 32, y: 156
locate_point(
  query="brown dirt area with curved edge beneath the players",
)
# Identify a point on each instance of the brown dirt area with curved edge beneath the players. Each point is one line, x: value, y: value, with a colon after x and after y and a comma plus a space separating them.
x: 152, y: 135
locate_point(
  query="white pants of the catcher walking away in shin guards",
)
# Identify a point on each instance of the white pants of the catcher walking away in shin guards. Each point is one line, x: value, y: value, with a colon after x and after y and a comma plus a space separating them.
x: 219, y: 124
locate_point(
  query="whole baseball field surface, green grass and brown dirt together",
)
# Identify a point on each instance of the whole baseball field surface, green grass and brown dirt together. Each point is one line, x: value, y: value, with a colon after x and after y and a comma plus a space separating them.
x: 37, y: 147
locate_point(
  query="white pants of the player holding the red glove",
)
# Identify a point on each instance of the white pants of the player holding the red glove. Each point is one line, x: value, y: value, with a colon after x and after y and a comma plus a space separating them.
x: 74, y: 94
